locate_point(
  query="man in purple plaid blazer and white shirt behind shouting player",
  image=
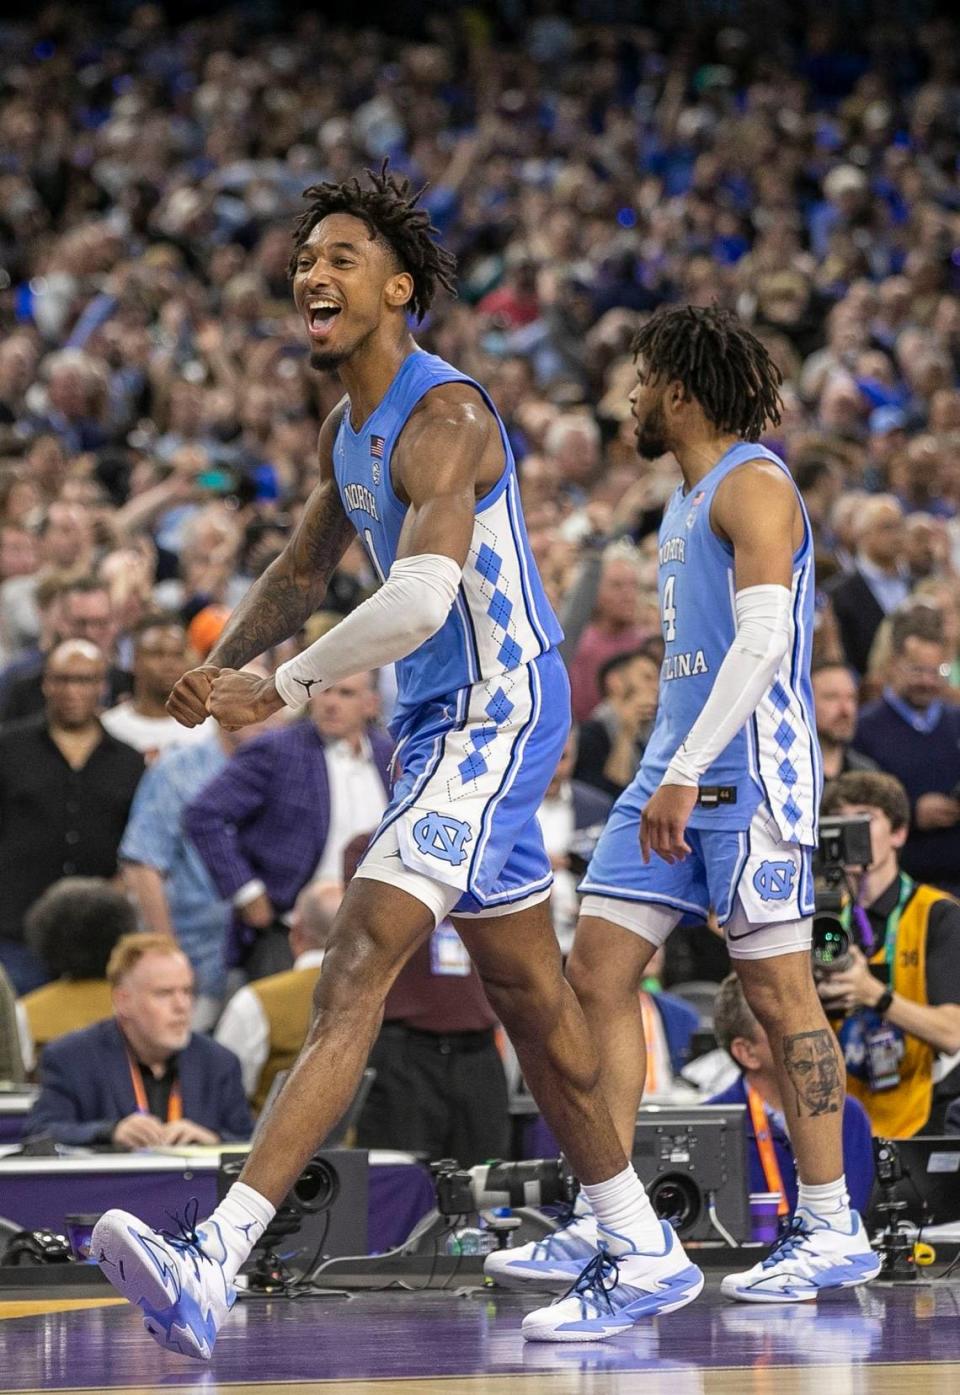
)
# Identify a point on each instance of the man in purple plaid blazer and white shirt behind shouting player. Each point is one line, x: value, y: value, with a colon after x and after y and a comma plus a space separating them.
x: 284, y: 810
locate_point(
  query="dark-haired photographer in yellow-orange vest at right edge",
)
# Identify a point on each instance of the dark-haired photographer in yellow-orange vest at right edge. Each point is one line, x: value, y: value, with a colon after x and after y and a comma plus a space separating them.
x: 897, y: 1008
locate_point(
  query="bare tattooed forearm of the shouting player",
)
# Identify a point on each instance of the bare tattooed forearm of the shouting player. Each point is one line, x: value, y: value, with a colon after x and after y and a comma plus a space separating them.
x: 291, y: 589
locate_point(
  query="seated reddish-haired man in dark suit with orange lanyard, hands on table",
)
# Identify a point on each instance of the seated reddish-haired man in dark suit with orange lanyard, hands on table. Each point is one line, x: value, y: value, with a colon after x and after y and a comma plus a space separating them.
x: 142, y: 1079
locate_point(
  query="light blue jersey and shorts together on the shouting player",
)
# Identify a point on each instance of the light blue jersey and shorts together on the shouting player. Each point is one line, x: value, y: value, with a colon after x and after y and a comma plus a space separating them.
x: 483, y: 707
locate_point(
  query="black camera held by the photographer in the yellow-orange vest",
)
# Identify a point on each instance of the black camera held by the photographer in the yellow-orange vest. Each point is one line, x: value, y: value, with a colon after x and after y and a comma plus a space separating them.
x: 845, y: 843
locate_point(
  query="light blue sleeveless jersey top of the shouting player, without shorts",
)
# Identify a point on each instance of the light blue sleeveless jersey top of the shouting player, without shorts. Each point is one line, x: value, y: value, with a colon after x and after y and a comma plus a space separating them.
x: 502, y: 619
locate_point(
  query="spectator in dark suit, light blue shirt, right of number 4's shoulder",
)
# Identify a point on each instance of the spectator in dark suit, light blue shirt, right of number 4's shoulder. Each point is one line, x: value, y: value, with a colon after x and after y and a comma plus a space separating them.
x: 880, y: 582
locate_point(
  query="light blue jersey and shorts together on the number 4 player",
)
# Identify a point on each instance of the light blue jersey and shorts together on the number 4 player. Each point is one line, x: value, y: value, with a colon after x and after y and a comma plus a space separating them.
x: 754, y: 850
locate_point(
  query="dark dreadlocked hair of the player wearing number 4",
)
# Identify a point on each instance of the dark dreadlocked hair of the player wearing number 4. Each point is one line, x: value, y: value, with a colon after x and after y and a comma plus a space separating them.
x: 719, y: 362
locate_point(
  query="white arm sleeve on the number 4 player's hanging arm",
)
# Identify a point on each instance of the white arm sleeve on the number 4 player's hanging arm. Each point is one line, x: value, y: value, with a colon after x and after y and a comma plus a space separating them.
x: 744, y: 676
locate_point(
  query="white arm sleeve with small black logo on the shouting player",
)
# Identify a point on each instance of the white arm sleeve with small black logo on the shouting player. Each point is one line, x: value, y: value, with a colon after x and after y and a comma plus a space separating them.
x: 410, y: 608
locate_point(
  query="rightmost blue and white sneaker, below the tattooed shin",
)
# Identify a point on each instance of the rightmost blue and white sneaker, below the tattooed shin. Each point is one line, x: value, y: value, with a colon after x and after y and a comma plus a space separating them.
x: 809, y: 1259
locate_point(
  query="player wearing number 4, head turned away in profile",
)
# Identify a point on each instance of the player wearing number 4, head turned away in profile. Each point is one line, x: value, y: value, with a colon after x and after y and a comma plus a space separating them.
x: 723, y: 810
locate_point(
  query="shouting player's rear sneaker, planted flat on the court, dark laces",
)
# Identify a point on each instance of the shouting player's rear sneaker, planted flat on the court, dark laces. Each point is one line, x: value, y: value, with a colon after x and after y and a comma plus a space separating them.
x: 615, y: 1292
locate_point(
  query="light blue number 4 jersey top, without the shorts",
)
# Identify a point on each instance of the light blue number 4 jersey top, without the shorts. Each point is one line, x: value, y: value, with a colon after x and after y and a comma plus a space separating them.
x: 775, y: 758
